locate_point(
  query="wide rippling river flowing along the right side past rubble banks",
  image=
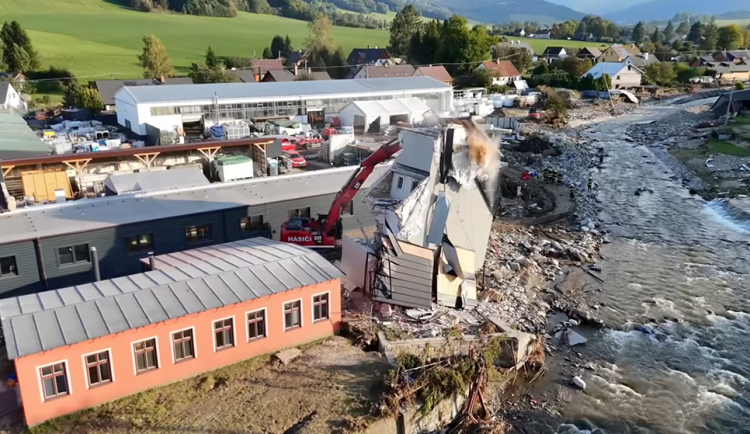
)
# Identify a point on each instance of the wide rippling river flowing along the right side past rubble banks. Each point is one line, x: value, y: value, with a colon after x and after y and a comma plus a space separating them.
x: 679, y: 264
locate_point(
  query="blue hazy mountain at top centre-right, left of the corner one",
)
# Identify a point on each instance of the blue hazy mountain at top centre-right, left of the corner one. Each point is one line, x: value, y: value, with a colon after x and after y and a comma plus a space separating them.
x: 500, y: 11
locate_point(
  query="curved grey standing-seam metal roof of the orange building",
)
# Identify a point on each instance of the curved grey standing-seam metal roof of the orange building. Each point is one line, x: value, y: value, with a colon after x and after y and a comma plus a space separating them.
x: 218, y: 276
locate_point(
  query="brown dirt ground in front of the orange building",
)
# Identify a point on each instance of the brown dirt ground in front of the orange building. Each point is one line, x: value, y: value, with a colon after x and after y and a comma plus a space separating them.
x: 334, y: 380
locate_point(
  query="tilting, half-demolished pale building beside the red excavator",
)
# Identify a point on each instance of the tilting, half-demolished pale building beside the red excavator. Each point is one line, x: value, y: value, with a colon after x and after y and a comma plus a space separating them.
x: 434, y: 214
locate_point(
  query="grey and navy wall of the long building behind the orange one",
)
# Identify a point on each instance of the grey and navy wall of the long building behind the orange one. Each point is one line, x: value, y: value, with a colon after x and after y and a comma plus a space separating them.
x: 168, y: 235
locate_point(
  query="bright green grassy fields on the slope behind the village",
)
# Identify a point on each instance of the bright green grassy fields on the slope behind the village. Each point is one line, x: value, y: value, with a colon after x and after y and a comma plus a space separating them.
x: 98, y: 38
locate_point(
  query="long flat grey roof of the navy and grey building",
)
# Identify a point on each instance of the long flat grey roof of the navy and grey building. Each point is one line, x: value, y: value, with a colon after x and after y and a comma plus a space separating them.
x: 92, y: 214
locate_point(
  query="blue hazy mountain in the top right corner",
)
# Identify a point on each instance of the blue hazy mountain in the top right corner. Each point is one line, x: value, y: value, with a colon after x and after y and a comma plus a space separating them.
x: 659, y: 10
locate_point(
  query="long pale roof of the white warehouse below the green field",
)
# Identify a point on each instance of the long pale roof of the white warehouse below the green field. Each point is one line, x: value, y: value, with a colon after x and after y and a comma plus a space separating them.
x: 296, y: 89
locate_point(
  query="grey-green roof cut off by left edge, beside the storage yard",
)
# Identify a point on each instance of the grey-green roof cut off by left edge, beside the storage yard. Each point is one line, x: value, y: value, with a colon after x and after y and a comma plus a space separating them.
x: 17, y: 140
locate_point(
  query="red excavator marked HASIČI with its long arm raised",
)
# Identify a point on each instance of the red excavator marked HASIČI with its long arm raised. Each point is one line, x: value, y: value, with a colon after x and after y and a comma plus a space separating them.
x: 326, y: 230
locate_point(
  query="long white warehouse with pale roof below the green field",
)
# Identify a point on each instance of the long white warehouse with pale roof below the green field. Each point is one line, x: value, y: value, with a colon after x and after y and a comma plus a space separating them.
x: 170, y: 107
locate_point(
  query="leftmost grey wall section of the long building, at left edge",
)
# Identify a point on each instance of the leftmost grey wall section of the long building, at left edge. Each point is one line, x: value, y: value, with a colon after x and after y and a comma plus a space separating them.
x: 27, y: 281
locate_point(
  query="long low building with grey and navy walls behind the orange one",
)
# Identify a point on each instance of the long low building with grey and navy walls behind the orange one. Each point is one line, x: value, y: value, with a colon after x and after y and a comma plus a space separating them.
x: 50, y: 246
